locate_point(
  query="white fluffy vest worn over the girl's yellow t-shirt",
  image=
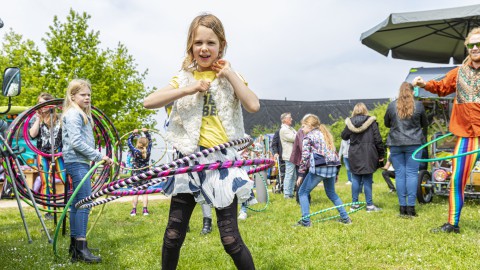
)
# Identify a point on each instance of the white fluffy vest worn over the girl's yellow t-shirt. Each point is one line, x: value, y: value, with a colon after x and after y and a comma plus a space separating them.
x: 186, y: 117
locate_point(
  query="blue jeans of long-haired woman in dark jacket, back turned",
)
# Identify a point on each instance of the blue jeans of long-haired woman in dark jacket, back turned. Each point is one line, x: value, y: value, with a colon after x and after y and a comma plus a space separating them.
x: 406, y: 173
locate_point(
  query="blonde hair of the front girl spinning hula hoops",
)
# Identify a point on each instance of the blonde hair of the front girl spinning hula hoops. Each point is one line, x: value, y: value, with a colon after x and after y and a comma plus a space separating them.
x: 209, y: 21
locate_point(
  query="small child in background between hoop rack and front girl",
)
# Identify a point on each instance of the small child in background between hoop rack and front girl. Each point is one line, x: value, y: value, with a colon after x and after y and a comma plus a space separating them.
x: 140, y: 162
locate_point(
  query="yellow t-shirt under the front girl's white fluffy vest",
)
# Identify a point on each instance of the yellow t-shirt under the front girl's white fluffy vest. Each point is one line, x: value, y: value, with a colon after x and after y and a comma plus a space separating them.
x: 212, y: 132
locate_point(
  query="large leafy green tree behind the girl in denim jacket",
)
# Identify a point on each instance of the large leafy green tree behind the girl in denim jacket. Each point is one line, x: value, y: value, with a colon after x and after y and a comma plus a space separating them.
x: 117, y: 87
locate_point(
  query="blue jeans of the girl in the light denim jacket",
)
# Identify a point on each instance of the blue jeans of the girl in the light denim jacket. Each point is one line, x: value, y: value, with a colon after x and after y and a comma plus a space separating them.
x: 79, y: 217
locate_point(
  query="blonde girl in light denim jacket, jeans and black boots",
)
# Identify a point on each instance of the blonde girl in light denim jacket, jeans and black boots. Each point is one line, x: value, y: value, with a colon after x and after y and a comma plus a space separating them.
x: 78, y: 151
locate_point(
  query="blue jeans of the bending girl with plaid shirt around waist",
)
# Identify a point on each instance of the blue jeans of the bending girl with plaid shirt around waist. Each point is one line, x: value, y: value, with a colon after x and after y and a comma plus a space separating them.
x: 309, y: 183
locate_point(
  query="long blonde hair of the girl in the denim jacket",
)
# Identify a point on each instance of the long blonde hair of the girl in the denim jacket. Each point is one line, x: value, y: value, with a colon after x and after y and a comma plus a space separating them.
x: 75, y: 86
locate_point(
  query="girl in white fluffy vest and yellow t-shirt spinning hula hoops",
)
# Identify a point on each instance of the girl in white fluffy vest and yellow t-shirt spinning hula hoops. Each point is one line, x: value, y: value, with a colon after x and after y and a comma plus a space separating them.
x: 207, y: 98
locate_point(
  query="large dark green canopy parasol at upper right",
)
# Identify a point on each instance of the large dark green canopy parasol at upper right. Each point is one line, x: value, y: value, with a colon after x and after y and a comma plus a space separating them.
x: 432, y: 36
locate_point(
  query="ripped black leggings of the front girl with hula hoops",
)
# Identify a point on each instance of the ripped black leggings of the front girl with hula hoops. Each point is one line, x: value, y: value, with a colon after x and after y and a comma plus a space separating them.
x: 181, y: 209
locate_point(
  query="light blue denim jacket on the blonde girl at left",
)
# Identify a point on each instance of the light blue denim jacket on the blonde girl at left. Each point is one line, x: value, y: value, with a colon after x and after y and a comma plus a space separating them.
x: 77, y: 139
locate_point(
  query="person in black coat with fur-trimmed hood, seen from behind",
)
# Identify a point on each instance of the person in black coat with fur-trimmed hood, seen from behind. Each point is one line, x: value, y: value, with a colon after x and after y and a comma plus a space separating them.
x: 365, y: 152
